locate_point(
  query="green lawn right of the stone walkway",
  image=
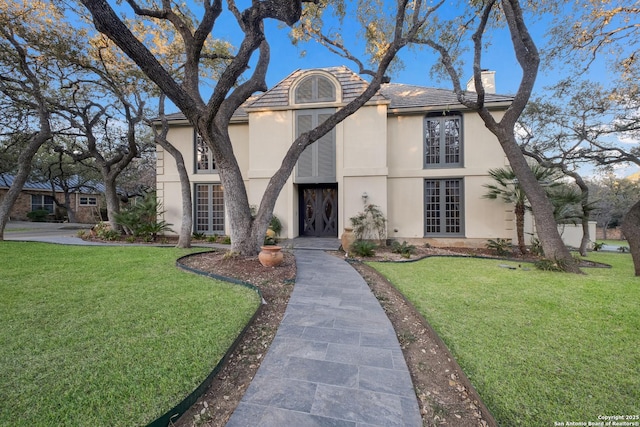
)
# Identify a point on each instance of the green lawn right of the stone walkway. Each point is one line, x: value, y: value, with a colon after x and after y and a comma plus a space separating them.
x: 539, y: 347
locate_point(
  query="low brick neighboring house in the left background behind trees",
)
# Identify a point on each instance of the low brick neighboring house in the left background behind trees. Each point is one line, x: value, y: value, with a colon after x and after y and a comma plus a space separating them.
x: 37, y: 195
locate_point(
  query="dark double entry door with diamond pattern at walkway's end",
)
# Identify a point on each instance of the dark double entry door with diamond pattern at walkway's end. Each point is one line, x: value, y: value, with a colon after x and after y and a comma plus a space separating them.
x: 319, y: 210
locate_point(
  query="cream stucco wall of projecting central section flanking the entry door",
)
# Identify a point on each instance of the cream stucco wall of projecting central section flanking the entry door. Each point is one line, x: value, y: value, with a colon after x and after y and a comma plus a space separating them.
x: 360, y: 162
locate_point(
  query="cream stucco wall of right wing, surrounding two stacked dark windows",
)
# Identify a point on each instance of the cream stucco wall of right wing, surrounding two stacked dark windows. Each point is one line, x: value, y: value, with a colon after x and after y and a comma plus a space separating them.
x: 483, y: 219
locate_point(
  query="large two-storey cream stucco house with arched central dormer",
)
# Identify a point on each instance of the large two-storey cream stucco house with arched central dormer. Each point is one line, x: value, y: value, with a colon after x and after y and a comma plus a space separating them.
x: 413, y: 151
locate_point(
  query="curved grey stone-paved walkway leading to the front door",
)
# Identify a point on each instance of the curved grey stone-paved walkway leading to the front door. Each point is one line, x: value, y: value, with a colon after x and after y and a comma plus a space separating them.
x: 335, y: 360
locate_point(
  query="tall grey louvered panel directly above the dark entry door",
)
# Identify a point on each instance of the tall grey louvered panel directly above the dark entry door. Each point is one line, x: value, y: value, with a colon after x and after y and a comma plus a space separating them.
x: 317, y: 163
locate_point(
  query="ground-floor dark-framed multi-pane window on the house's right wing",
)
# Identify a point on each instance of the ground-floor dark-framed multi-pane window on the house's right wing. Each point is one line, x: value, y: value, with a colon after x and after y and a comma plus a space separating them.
x: 443, y: 207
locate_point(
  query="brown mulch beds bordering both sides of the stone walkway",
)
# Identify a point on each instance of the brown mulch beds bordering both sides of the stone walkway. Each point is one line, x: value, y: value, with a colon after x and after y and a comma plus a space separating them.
x: 444, y: 394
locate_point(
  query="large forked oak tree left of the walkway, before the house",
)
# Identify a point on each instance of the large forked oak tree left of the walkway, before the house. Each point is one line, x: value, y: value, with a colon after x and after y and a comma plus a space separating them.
x: 238, y: 80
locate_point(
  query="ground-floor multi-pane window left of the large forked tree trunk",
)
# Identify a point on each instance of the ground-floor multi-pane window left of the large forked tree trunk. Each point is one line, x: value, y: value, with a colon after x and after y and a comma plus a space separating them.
x: 209, y: 209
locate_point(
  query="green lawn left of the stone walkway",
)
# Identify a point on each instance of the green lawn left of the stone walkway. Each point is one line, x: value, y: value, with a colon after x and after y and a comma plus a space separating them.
x: 107, y: 335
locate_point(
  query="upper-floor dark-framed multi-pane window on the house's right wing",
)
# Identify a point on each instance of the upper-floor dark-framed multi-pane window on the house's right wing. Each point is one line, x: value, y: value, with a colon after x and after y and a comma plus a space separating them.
x: 442, y: 141
